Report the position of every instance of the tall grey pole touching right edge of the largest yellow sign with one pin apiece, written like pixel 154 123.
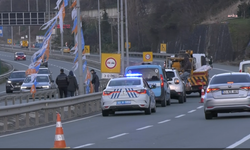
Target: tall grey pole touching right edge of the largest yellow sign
pixel 122 40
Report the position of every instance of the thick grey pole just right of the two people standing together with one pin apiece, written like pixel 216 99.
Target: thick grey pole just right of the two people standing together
pixel 79 45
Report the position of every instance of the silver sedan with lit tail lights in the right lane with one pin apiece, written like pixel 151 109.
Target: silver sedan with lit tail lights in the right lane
pixel 228 92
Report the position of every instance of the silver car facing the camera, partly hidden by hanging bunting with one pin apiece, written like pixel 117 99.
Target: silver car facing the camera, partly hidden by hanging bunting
pixel 43 82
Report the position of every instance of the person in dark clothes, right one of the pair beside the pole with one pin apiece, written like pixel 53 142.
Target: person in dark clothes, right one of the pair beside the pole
pixel 73 86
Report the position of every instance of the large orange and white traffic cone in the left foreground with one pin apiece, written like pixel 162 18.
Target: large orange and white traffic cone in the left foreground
pixel 59 137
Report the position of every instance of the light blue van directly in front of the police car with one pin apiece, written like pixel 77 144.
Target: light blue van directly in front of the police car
pixel 154 75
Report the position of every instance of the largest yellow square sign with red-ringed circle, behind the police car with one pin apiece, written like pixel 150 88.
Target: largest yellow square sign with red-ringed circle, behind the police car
pixel 110 63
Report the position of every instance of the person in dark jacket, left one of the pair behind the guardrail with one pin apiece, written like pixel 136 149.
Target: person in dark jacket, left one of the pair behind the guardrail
pixel 62 82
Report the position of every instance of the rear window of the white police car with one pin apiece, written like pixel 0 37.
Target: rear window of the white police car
pixel 126 82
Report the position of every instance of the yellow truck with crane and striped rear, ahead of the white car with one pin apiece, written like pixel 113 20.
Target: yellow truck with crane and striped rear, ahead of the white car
pixel 199 73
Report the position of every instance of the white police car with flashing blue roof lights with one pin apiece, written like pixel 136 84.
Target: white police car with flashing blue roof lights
pixel 131 92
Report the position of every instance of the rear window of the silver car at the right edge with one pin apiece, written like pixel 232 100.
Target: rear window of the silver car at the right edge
pixel 230 78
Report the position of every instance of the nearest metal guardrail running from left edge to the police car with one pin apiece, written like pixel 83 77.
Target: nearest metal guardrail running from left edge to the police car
pixel 44 112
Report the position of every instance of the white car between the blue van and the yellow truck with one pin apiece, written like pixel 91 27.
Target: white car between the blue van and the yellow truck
pixel 176 84
